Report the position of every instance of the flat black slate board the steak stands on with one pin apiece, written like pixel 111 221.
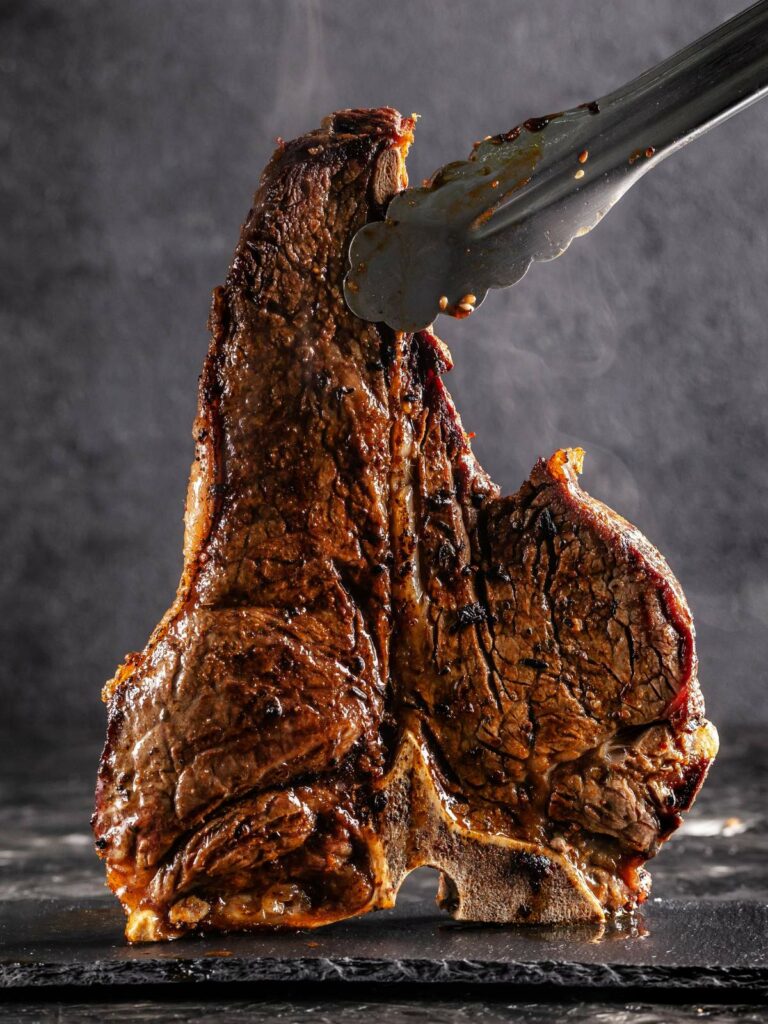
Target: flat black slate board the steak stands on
pixel 680 945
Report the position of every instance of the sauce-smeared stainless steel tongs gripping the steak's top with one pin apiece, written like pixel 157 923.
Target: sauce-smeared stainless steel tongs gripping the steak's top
pixel 526 195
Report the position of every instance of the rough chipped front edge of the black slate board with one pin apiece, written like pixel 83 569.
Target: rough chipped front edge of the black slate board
pixel 228 970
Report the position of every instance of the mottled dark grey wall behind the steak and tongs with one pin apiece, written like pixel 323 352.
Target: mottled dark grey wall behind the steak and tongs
pixel 132 138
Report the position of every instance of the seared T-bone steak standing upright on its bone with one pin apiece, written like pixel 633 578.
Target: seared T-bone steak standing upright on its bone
pixel 374 661
